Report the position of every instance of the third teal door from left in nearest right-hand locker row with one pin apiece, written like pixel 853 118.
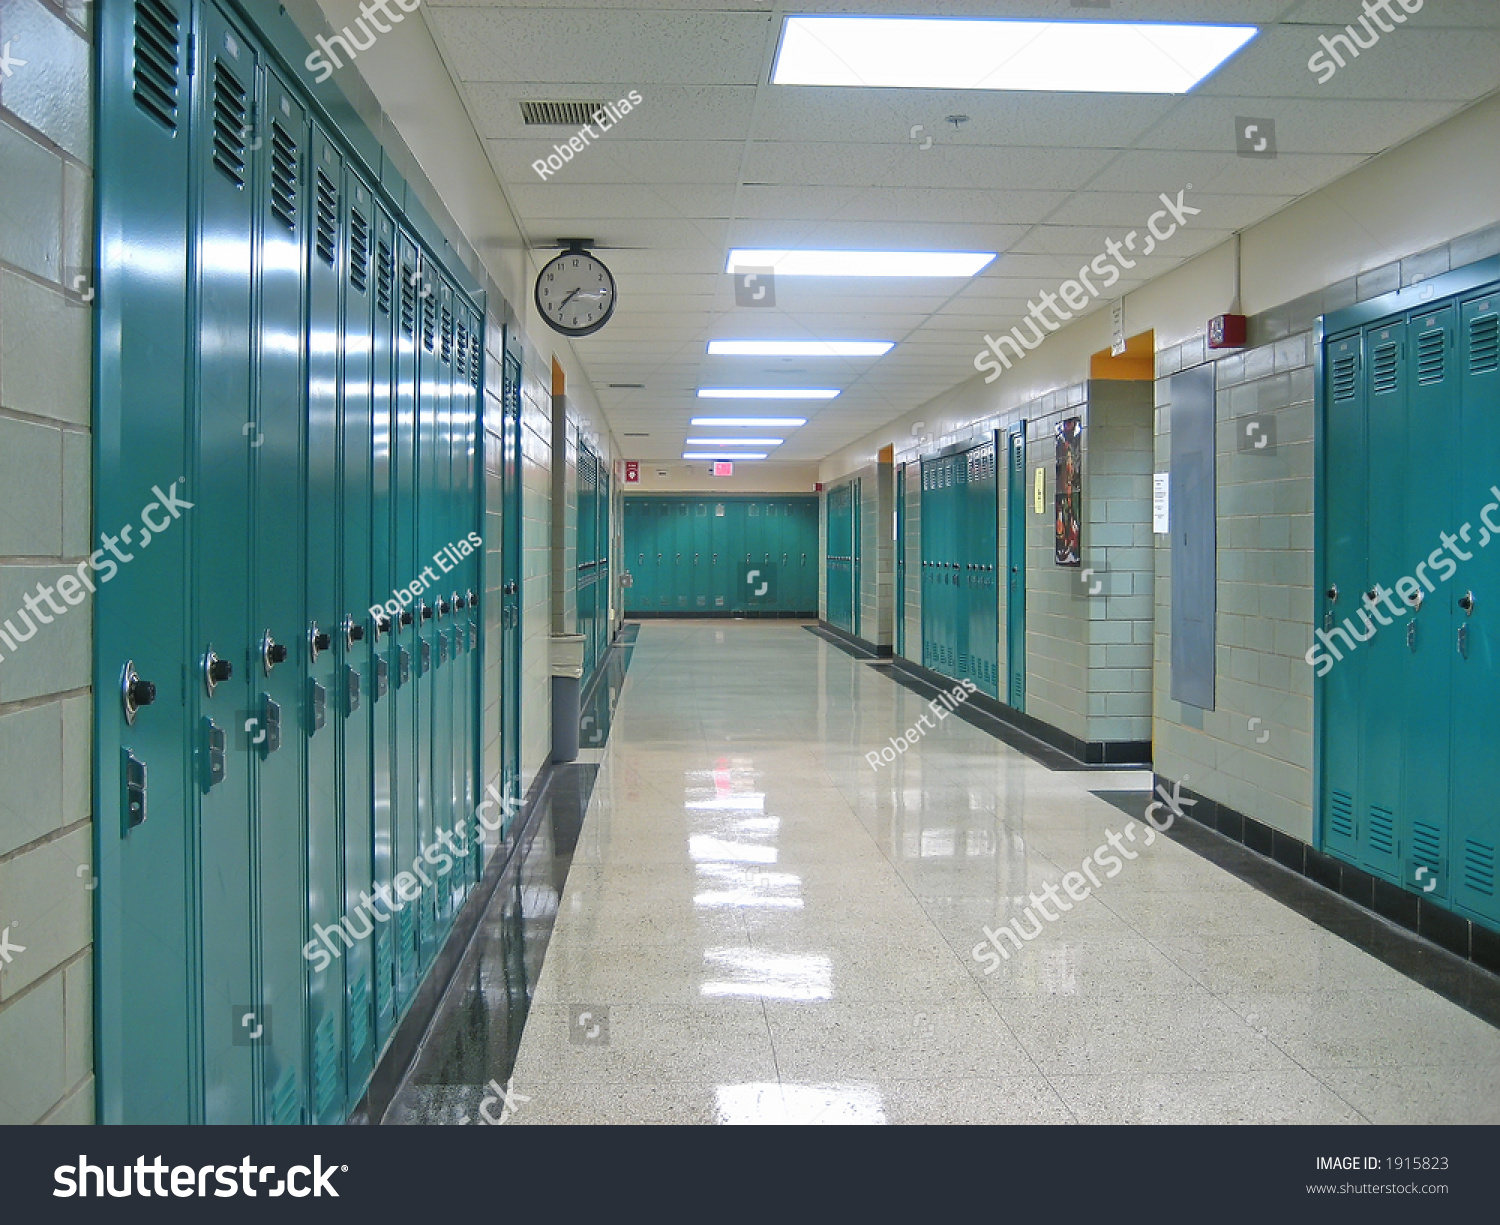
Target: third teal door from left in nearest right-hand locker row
pixel 1429 648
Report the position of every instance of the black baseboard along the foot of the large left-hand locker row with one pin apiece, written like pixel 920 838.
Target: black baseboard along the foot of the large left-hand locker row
pixel 401 1052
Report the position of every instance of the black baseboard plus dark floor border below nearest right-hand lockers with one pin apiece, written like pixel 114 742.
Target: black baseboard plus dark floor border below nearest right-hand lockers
pixel 1438 948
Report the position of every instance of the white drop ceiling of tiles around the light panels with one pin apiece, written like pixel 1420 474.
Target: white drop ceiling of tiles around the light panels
pixel 716 158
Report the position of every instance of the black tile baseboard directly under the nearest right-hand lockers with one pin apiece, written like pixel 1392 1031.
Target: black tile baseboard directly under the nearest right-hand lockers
pixel 1451 932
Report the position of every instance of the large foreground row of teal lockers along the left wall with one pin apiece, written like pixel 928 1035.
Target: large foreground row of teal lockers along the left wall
pixel 289 674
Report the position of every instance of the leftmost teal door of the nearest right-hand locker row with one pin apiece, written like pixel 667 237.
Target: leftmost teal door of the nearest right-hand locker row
pixel 1346 484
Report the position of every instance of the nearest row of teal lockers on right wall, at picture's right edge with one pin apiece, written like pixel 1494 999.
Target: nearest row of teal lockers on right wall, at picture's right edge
pixel 1409 639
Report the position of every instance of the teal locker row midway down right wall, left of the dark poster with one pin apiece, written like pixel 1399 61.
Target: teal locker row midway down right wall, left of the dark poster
pixel 964 569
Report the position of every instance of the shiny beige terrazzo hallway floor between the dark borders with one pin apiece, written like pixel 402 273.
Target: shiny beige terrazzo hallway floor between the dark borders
pixel 758 927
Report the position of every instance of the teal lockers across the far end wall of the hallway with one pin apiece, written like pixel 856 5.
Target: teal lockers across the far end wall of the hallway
pixel 692 556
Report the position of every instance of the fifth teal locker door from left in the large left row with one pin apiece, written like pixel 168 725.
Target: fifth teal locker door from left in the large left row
pixel 353 642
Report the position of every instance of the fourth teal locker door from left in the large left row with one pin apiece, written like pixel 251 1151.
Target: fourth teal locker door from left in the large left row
pixel 326 992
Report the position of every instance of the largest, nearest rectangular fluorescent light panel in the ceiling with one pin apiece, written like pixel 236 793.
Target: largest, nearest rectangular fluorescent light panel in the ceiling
pixel 923 53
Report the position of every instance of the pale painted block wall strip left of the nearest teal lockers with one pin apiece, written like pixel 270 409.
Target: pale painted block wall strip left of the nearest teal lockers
pixel 46 523
